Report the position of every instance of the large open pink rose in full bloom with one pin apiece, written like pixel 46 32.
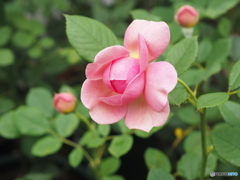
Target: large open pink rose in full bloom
pixel 124 83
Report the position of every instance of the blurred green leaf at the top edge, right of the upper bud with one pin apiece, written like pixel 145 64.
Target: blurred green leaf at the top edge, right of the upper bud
pixel 218 7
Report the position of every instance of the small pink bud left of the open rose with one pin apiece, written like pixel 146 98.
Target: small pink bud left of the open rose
pixel 64 102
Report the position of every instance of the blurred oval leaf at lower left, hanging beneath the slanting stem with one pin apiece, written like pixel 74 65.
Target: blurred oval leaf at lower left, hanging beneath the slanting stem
pixel 46 146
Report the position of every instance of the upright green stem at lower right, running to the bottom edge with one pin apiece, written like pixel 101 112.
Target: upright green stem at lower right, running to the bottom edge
pixel 204 150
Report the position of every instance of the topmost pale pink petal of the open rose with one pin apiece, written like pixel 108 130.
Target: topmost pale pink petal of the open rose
pixel 156 35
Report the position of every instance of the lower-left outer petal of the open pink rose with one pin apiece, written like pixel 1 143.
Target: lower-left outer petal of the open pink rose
pixel 103 113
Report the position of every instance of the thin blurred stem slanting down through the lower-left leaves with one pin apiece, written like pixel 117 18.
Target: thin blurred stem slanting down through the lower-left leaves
pixel 75 145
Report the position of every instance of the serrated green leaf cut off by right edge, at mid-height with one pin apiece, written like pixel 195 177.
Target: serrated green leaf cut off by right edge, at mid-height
pixel 234 78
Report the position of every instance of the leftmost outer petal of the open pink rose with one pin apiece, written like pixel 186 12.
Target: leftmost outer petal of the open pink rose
pixel 92 90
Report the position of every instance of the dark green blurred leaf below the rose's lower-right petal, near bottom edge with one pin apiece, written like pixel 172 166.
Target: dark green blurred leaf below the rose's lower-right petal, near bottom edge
pixel 156 159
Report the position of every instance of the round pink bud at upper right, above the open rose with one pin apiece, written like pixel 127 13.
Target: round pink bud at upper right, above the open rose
pixel 187 16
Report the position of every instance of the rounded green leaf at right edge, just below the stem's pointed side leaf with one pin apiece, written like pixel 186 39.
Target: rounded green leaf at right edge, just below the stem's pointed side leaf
pixel 230 113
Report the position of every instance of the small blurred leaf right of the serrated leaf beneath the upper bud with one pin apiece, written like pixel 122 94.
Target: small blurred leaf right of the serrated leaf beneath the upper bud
pixel 205 47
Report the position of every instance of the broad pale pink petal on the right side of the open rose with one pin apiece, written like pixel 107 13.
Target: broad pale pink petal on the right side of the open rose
pixel 161 78
